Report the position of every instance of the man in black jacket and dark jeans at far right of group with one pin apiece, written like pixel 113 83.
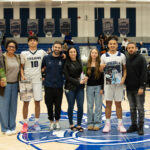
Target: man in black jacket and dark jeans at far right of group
pixel 135 85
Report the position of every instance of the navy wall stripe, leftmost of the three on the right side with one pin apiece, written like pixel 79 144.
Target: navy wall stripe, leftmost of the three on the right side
pixel 98 23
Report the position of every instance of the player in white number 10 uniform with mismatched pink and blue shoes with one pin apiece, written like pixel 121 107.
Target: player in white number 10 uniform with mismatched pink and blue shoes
pixel 31 70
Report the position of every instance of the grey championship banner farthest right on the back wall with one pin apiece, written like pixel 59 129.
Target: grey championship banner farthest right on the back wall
pixel 123 26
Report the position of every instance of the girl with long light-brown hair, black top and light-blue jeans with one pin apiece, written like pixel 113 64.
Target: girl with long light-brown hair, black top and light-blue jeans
pixel 94 91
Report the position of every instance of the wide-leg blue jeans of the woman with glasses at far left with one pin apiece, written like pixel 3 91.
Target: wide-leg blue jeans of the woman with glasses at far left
pixel 8 105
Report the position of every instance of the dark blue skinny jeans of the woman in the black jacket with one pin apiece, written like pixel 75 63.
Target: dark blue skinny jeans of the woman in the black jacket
pixel 77 95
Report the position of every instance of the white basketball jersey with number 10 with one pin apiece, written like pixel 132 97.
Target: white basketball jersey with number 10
pixel 32 64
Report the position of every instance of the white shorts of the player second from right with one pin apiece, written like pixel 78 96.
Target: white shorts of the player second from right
pixel 114 92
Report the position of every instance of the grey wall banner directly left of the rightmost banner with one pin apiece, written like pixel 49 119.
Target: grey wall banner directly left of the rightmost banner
pixel 108 26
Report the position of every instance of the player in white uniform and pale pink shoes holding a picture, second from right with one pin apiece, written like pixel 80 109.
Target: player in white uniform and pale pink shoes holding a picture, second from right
pixel 113 63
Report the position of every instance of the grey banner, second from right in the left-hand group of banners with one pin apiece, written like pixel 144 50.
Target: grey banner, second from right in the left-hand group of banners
pixel 49 26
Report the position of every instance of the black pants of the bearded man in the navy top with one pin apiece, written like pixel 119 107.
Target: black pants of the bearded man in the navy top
pixel 53 97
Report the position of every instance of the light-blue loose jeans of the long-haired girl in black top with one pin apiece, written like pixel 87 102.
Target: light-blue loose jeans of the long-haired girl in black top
pixel 94 97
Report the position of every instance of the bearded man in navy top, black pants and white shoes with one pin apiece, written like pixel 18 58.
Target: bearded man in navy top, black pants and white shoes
pixel 53 66
